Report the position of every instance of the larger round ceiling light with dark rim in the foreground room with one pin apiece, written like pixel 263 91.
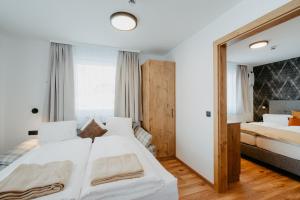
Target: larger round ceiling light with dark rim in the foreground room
pixel 123 21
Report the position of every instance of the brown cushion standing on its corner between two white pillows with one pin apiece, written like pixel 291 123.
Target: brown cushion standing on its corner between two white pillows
pixel 92 130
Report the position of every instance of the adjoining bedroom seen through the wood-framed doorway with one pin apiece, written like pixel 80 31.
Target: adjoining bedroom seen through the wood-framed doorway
pixel 263 99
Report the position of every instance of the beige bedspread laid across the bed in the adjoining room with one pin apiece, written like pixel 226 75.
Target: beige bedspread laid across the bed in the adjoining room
pixel 273 133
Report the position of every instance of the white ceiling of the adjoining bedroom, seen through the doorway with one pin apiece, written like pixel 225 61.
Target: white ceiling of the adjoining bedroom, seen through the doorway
pixel 286 38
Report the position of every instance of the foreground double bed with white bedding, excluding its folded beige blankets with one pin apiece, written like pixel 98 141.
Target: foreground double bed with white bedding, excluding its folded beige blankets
pixel 156 183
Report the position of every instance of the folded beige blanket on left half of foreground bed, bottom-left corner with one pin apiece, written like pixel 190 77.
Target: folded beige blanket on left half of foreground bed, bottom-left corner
pixel 29 181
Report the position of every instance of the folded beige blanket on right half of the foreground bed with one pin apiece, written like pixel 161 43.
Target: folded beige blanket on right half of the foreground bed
pixel 116 168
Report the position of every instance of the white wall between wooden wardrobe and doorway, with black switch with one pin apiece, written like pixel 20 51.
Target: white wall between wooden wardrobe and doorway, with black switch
pixel 194 83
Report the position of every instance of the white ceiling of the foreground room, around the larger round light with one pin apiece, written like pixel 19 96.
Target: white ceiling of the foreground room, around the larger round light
pixel 162 23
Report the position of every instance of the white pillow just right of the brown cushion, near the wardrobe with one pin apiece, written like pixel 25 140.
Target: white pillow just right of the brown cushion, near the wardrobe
pixel 120 126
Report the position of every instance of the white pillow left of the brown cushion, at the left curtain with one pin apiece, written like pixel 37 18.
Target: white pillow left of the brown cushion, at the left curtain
pixel 57 131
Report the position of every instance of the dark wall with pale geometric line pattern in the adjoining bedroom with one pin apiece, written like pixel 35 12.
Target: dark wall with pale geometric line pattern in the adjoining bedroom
pixel 275 81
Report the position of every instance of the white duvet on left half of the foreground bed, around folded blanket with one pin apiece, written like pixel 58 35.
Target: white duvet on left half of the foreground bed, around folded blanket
pixel 75 150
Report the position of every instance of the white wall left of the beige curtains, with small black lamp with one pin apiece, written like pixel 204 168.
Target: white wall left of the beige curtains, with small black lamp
pixel 25 87
